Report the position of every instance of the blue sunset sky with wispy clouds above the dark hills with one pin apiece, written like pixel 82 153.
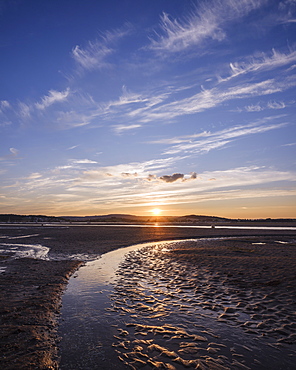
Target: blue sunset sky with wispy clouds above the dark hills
pixel 126 106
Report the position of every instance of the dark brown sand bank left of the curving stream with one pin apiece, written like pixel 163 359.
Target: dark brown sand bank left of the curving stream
pixel 29 305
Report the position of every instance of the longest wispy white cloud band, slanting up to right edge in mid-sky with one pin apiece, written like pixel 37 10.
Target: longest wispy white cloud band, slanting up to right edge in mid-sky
pixel 133 109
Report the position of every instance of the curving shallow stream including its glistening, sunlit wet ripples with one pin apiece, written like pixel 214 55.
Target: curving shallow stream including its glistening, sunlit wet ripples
pixel 135 308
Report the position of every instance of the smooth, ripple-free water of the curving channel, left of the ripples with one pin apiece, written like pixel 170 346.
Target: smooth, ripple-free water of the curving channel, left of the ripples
pixel 86 327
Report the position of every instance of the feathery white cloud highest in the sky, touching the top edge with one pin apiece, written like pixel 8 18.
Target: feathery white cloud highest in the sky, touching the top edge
pixel 206 21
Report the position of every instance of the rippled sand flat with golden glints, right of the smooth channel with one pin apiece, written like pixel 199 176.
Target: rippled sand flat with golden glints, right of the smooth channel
pixel 224 304
